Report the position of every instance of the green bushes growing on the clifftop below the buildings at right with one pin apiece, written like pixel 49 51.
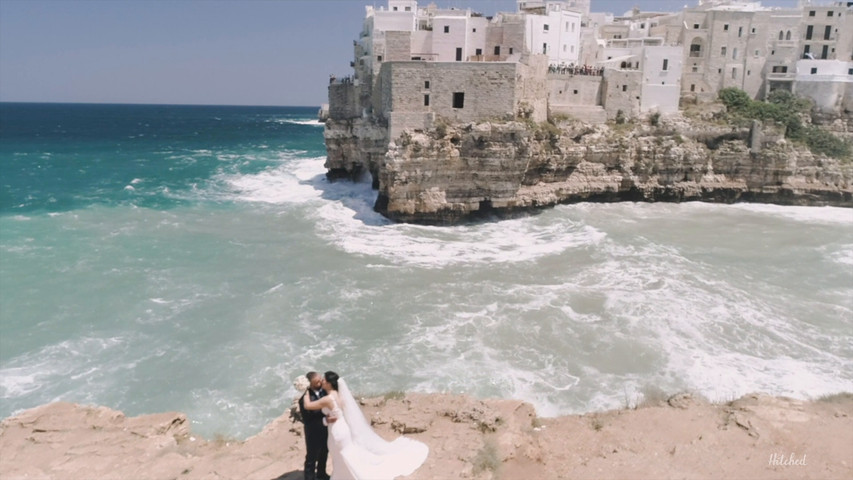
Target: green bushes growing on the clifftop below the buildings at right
pixel 784 108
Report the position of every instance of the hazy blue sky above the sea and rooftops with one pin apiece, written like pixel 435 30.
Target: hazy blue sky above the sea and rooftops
pixel 215 52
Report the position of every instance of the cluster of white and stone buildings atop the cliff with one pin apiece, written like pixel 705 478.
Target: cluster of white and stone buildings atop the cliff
pixel 415 65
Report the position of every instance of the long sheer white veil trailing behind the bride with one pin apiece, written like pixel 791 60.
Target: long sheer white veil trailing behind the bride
pixel 403 455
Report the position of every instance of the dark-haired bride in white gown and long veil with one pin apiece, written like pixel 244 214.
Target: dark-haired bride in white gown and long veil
pixel 357 452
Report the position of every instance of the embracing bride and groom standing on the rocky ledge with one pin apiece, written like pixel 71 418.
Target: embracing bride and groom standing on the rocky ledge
pixel 335 425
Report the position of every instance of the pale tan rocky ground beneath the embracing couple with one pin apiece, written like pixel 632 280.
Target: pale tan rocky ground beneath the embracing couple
pixel 754 437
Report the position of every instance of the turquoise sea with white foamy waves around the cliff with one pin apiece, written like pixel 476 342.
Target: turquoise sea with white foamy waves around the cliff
pixel 161 258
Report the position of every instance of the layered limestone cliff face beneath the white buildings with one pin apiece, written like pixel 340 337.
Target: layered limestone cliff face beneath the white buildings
pixel 457 173
